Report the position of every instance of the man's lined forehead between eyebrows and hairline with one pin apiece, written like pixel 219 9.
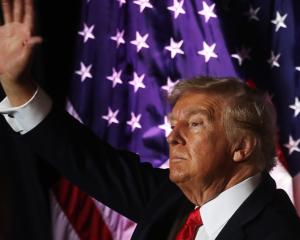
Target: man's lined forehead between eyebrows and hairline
pixel 196 102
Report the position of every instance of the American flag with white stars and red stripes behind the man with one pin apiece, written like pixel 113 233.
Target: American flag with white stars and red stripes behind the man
pixel 130 53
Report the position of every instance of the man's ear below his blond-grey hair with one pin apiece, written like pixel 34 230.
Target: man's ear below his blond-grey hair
pixel 243 147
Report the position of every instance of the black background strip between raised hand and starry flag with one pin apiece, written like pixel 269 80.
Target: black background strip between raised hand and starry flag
pixel 58 24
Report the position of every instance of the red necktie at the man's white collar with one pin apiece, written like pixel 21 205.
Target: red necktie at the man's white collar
pixel 190 227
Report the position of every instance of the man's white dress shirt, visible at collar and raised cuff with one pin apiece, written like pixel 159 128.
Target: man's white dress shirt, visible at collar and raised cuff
pixel 215 213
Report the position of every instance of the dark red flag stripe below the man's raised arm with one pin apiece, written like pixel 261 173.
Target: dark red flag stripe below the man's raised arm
pixel 81 211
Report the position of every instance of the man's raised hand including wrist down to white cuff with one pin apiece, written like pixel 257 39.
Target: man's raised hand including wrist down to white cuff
pixel 16 47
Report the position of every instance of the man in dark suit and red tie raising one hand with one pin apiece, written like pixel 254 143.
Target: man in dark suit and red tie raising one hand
pixel 221 146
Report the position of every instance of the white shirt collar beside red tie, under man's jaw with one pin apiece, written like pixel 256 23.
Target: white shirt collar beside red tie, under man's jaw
pixel 216 213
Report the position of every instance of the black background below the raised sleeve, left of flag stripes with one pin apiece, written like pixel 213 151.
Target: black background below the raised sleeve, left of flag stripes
pixel 24 187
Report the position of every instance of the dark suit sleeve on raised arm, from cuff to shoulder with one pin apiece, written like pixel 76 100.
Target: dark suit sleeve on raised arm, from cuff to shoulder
pixel 114 177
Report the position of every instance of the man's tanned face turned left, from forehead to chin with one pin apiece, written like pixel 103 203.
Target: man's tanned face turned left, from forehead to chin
pixel 199 150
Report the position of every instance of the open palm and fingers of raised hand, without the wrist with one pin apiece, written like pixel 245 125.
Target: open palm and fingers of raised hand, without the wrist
pixel 16 40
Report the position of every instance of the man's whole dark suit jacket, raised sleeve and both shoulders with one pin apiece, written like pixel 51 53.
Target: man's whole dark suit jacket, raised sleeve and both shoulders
pixel 144 194
